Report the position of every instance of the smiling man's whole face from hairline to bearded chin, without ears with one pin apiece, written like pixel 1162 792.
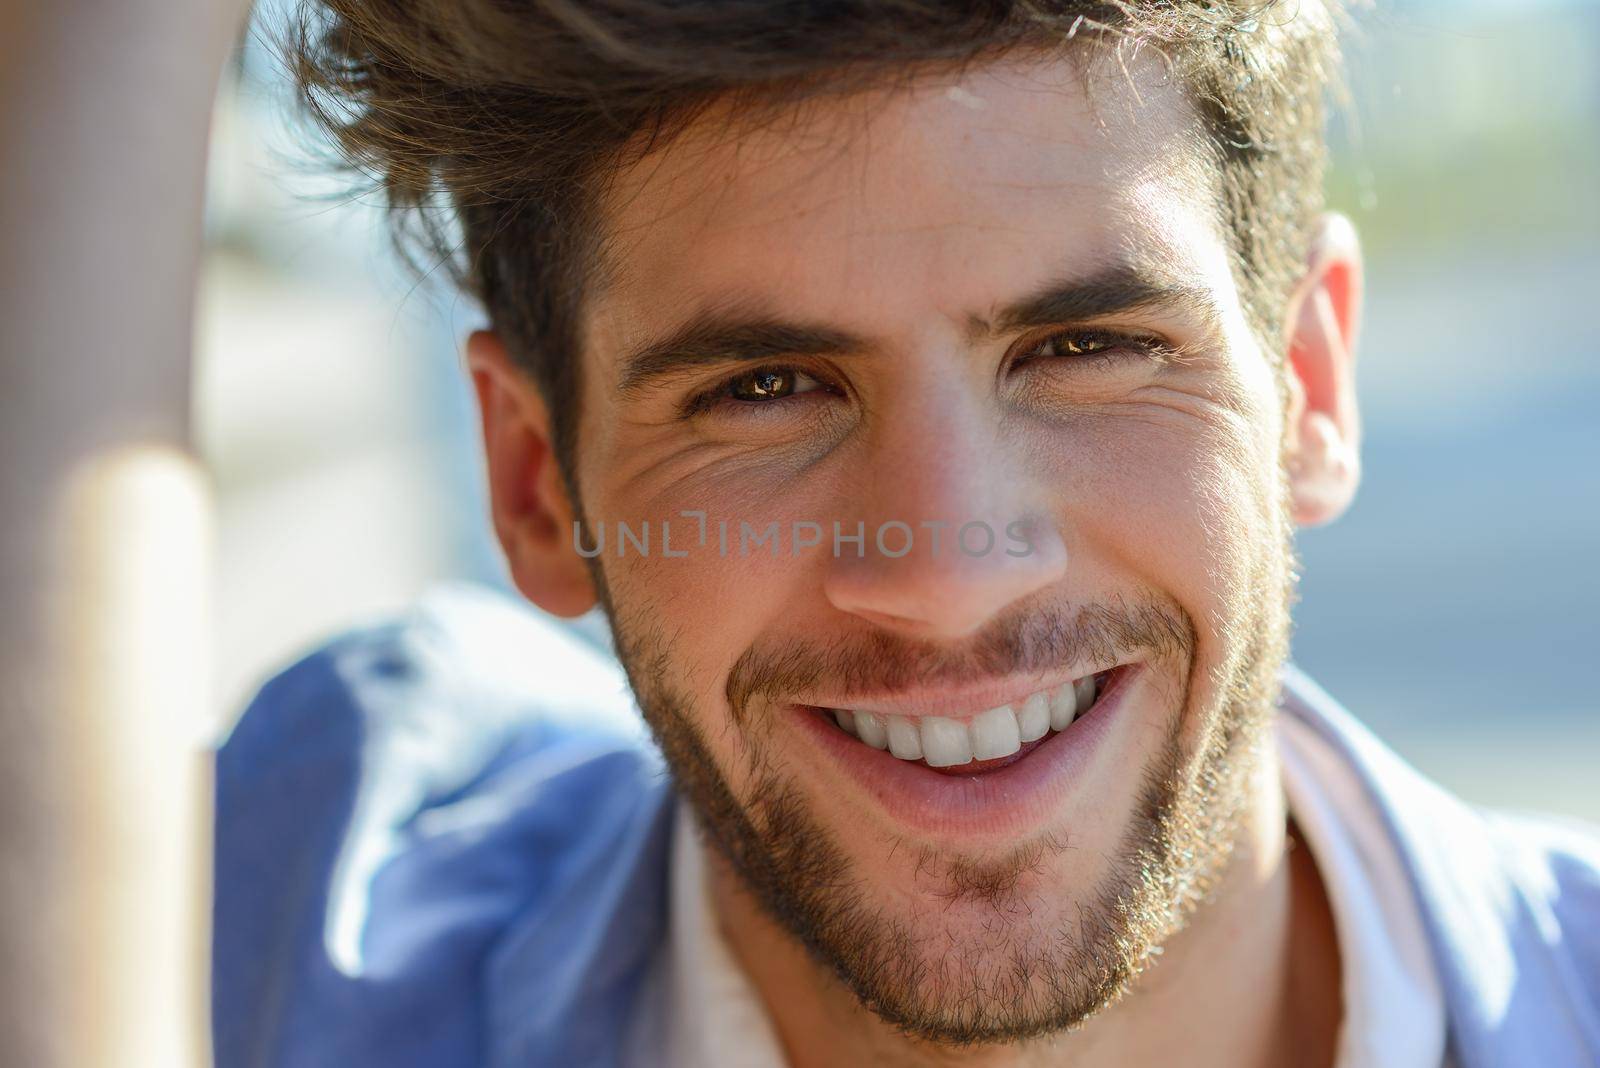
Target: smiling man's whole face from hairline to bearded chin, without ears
pixel 985 301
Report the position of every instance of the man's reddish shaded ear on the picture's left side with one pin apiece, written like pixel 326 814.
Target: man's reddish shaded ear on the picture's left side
pixel 534 517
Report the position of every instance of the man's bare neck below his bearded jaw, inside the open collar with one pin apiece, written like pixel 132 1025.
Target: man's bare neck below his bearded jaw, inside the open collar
pixel 1254 979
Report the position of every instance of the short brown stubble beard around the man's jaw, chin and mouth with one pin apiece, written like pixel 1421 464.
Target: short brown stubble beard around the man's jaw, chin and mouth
pixel 1023 979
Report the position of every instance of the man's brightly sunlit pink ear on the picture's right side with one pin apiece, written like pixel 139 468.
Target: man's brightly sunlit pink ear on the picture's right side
pixel 1324 424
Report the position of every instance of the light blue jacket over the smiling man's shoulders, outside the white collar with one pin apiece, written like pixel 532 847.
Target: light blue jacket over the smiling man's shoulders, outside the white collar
pixel 444 843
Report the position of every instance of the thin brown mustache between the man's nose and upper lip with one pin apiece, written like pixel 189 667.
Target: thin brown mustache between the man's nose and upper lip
pixel 1022 642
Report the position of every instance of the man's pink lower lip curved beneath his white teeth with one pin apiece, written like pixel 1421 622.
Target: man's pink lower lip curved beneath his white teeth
pixel 1002 802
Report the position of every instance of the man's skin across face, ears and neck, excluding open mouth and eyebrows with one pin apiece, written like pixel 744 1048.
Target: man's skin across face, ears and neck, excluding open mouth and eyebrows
pixel 1159 487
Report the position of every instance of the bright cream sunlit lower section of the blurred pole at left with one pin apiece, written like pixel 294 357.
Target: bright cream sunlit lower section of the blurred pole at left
pixel 134 634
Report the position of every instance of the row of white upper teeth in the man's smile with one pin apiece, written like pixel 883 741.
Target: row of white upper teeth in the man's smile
pixel 945 743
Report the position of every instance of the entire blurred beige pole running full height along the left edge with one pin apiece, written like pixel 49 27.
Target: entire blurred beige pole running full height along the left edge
pixel 105 113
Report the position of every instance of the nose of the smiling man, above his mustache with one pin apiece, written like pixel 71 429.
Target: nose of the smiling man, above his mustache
pixel 954 530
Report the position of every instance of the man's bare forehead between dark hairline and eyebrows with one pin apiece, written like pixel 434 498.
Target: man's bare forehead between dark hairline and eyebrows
pixel 910 210
